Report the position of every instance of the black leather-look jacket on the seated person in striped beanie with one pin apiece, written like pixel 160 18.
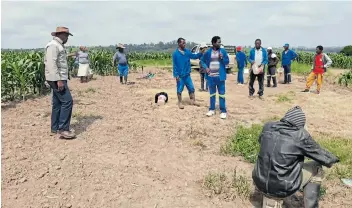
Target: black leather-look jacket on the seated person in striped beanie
pixel 283 146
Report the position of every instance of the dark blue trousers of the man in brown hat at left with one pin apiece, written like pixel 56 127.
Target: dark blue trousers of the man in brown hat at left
pixel 61 107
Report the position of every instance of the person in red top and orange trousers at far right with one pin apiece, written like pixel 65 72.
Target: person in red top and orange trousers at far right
pixel 321 62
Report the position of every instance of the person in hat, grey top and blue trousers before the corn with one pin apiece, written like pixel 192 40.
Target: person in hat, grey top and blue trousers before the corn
pixel 122 63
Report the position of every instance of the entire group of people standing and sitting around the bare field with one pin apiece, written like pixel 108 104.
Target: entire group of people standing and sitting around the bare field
pixel 280 169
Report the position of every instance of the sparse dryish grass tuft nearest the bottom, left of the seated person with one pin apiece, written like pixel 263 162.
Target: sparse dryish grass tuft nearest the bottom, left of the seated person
pixel 232 186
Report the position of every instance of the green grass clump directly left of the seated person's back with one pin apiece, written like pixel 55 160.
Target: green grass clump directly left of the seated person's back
pixel 244 143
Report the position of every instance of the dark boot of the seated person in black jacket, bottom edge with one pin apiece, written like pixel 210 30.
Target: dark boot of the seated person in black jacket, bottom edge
pixel 311 195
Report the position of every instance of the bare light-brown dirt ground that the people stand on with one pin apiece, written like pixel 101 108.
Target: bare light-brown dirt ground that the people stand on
pixel 129 153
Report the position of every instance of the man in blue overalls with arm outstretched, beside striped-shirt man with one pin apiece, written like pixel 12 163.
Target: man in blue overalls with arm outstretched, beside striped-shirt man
pixel 182 70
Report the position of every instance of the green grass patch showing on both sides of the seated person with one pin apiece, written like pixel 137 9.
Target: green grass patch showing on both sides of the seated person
pixel 244 142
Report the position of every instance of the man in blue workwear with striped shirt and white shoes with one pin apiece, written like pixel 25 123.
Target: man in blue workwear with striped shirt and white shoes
pixel 215 61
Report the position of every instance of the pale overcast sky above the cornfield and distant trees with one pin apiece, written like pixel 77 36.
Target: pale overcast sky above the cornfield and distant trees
pixel 28 24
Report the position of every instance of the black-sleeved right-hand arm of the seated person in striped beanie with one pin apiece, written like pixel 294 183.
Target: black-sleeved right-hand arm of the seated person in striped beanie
pixel 312 150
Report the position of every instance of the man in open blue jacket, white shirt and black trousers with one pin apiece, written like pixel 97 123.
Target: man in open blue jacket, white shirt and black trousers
pixel 258 57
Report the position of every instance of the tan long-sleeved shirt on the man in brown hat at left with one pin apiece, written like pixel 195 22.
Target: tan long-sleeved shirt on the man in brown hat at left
pixel 55 60
